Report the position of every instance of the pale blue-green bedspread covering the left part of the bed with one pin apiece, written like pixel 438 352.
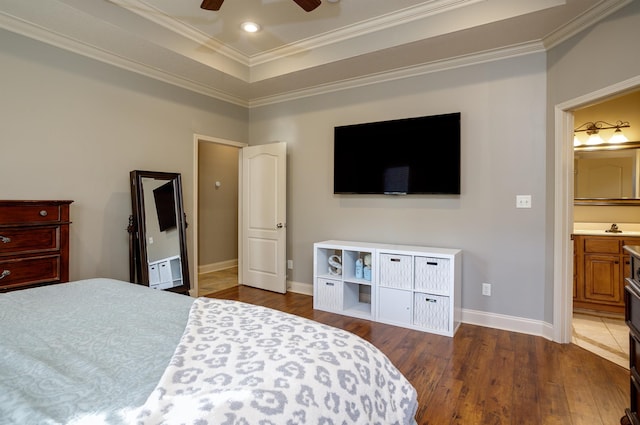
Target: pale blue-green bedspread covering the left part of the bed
pixel 86 351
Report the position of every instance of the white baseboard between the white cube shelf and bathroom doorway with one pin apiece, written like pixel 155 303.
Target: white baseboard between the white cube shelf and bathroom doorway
pixel 508 323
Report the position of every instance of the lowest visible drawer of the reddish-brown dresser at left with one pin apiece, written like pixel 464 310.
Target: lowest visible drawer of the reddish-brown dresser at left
pixel 29 271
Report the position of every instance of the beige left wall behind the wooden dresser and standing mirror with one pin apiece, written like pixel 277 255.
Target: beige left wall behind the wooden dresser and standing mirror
pixel 73 128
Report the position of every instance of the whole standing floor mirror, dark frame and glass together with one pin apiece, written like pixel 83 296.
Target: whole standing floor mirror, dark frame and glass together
pixel 159 249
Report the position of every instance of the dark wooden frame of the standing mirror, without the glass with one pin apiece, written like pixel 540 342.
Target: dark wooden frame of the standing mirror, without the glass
pixel 139 264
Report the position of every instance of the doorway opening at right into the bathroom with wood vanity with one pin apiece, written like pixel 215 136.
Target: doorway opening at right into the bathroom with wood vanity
pixel 598 319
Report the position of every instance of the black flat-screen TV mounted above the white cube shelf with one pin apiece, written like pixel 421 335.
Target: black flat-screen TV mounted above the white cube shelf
pixel 398 157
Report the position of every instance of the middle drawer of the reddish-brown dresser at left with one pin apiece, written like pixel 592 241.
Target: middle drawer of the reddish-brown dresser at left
pixel 24 240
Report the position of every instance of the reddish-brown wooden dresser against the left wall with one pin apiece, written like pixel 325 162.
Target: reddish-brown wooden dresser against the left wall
pixel 34 243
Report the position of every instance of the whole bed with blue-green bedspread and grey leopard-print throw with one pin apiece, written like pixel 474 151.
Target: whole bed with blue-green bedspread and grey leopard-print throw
pixel 101 351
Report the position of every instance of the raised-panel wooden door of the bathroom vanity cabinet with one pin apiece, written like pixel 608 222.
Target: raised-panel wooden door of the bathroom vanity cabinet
pixel 602 278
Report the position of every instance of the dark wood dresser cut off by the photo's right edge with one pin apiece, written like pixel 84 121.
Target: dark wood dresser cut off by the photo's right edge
pixel 632 317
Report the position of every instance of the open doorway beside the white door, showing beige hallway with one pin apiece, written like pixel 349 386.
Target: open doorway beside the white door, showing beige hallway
pixel 215 232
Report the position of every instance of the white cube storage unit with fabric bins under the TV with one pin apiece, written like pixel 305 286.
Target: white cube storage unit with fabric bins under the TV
pixel 410 286
